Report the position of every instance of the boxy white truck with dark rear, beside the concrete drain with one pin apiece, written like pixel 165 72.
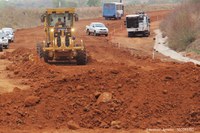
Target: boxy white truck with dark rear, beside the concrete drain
pixel 138 23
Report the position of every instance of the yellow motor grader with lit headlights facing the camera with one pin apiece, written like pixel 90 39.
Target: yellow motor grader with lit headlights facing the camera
pixel 60 43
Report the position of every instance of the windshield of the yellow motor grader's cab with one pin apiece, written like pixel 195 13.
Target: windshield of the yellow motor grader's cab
pixel 66 18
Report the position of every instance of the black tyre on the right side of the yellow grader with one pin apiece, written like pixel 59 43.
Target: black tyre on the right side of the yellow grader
pixel 81 57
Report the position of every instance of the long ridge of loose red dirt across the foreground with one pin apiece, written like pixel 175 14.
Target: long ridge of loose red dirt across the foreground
pixel 160 98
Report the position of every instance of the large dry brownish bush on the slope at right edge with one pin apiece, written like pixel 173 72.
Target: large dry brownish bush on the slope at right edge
pixel 182 25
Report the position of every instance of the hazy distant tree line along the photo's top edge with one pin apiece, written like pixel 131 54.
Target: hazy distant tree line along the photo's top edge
pixel 73 3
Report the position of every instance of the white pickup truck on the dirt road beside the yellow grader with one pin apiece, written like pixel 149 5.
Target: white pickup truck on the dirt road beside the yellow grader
pixel 96 29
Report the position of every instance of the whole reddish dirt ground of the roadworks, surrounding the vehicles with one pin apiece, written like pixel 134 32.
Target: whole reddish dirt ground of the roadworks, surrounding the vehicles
pixel 142 92
